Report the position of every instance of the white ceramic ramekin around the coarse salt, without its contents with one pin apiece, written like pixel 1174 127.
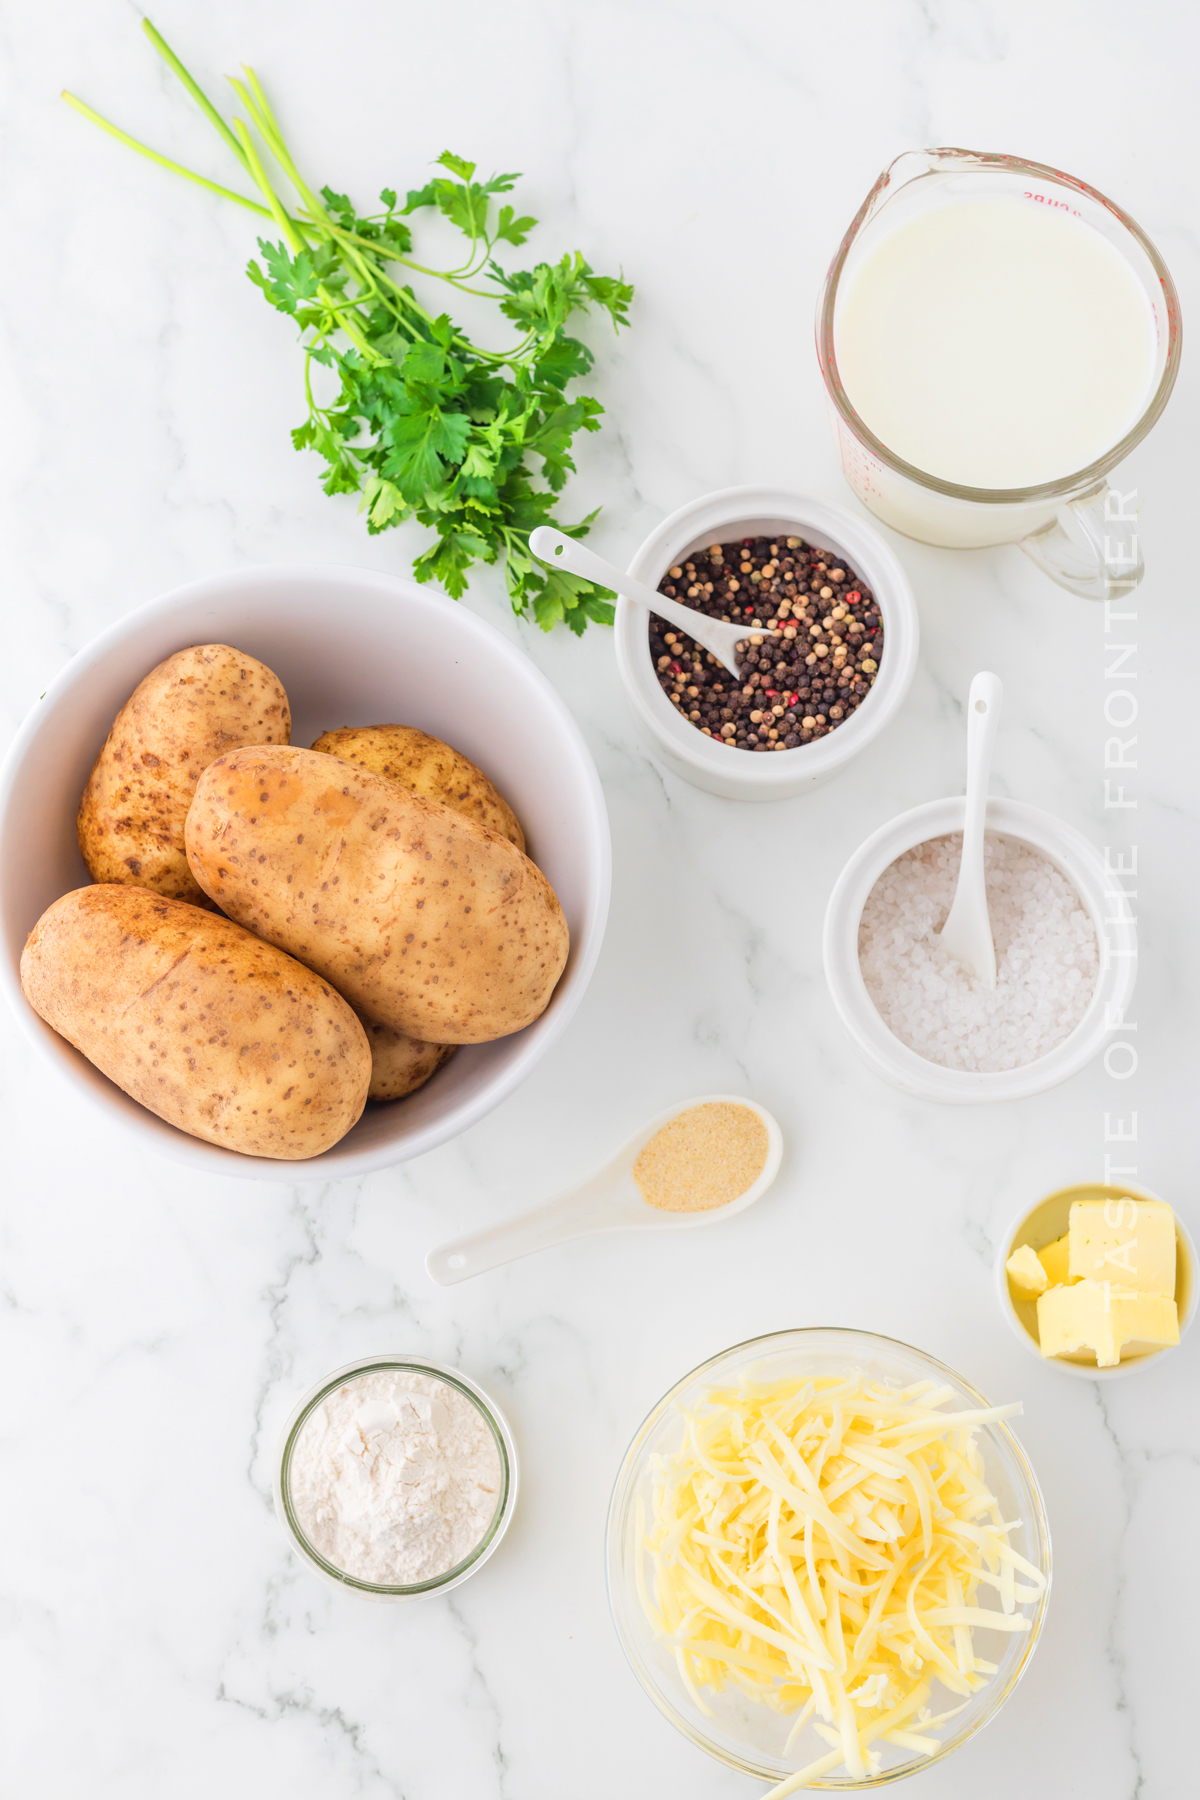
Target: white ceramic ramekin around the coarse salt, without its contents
pixel 1084 868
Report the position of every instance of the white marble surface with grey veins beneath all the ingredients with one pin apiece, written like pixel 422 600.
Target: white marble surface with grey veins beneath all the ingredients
pixel 156 1329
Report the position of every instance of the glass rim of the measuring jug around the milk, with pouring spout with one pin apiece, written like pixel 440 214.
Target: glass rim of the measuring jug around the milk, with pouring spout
pixel 1062 487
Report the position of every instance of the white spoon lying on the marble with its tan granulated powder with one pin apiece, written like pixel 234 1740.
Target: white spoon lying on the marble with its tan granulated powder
pixel 701 1162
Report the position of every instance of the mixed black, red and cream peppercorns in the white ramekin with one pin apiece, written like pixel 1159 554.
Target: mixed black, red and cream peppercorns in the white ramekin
pixel 791 690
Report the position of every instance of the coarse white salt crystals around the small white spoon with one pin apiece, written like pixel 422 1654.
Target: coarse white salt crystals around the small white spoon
pixel 1048 960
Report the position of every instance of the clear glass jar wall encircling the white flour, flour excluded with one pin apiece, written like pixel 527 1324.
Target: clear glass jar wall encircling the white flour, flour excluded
pixel 381 1365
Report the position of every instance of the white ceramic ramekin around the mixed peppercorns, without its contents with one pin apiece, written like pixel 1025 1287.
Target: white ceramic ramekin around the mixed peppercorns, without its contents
pixel 749 514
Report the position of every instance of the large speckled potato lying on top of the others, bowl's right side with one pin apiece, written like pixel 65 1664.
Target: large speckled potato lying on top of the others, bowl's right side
pixel 422 919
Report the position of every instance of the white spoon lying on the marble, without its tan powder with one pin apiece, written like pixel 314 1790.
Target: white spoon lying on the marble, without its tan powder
pixel 607 1201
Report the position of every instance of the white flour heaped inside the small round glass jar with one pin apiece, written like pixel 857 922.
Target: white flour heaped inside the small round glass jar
pixel 395 1479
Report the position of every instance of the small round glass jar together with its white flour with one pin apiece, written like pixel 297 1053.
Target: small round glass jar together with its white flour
pixel 397 1477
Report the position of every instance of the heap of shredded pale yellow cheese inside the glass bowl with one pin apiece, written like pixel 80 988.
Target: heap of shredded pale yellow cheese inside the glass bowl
pixel 821 1545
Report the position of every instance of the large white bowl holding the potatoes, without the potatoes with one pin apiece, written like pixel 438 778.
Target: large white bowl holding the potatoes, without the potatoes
pixel 354 649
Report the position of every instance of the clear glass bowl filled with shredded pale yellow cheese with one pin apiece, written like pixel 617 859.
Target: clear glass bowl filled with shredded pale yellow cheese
pixel 828 1560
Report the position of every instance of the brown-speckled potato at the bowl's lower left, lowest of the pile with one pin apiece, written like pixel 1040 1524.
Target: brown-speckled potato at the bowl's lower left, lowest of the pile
pixel 222 1036
